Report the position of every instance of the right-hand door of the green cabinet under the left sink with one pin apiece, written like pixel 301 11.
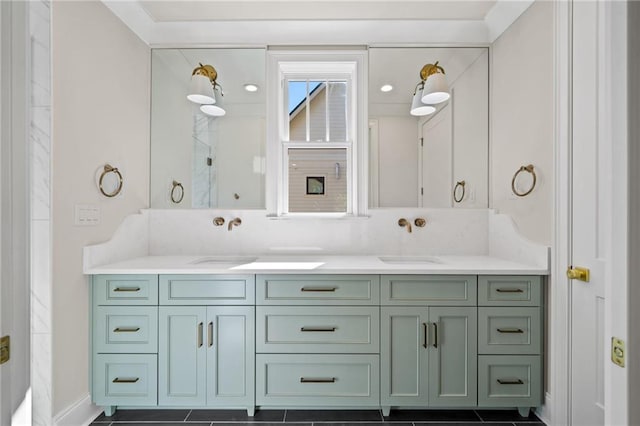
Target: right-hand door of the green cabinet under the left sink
pixel 230 342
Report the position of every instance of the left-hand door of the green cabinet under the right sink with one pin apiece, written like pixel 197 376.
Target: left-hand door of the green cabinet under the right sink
pixel 403 356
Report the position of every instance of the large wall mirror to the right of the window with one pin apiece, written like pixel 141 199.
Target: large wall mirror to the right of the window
pixel 436 160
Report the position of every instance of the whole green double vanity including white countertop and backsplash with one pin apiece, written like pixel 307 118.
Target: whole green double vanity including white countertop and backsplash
pixel 449 316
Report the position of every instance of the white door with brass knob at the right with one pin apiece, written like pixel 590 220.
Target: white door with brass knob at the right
pixel 589 218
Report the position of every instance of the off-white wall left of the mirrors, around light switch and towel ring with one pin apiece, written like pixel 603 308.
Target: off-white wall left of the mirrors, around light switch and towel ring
pixel 100 114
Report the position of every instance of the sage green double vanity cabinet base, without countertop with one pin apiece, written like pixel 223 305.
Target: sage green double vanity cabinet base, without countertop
pixel 316 340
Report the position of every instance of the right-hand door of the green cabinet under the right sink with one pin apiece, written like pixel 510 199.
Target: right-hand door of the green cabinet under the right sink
pixel 453 356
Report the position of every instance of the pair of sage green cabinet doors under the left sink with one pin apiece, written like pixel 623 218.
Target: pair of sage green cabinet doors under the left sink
pixel 206 356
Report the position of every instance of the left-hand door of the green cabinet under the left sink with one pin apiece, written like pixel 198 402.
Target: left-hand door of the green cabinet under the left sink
pixel 182 356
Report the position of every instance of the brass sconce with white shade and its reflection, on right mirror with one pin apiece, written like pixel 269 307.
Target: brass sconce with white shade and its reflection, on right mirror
pixel 431 90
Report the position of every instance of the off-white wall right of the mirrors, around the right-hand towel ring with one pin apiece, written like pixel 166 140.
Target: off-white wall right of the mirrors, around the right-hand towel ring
pixel 522 119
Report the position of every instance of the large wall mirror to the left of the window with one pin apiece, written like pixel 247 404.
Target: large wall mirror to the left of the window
pixel 200 160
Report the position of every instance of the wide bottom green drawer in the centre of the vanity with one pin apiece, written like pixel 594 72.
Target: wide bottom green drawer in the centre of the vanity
pixel 317 380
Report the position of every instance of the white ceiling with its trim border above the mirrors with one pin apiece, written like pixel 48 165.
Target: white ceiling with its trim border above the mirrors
pixel 188 23
